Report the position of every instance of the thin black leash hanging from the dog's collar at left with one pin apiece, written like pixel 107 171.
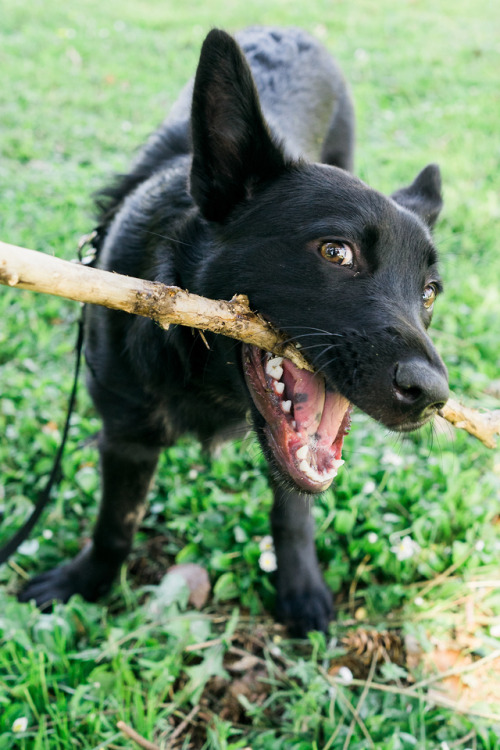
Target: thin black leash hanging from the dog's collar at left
pixel 55 475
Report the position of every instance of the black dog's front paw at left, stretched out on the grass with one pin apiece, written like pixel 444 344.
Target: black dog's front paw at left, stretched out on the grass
pixel 81 576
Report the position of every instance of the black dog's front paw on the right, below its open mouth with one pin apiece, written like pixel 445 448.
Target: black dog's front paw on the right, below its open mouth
pixel 303 610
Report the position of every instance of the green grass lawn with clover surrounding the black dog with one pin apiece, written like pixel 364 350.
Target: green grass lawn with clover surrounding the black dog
pixel 82 86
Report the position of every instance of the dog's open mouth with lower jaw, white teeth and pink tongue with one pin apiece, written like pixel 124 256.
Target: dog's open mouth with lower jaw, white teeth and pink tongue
pixel 305 421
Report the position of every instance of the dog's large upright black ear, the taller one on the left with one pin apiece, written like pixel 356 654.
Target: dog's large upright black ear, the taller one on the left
pixel 232 146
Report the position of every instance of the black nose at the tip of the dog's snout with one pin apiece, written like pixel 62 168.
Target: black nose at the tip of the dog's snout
pixel 420 384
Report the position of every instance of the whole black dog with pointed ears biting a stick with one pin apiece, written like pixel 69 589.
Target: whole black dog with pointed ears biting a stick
pixel 225 200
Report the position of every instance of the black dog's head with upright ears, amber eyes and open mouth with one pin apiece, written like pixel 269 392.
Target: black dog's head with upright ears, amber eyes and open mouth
pixel 346 272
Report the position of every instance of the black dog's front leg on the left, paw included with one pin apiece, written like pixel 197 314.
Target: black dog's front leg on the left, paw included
pixel 126 471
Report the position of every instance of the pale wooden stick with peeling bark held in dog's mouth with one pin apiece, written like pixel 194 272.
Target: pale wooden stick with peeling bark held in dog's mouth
pixel 166 305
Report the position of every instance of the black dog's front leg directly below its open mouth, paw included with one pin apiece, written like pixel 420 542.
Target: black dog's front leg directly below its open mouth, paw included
pixel 303 601
